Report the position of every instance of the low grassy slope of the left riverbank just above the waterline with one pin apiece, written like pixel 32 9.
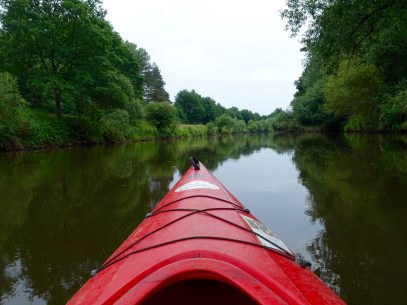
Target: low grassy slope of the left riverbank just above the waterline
pixel 47 132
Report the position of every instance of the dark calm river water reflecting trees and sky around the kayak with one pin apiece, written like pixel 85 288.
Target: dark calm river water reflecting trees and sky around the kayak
pixel 339 200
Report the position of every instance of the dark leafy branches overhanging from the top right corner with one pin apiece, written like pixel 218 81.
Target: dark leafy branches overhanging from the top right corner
pixel 342 28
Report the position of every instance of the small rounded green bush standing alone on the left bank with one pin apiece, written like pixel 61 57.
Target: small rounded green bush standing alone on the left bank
pixel 163 116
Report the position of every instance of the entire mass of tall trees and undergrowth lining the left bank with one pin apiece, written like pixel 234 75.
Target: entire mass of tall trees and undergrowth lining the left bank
pixel 67 77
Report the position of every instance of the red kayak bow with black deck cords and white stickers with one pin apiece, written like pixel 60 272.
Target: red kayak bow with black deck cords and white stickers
pixel 200 245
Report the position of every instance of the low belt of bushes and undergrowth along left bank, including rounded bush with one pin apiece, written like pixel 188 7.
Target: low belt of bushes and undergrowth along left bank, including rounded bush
pixel 22 127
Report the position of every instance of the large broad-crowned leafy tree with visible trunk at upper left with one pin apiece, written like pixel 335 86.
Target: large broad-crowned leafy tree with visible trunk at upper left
pixel 55 47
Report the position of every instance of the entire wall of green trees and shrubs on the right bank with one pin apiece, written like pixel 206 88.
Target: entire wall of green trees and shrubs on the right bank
pixel 355 75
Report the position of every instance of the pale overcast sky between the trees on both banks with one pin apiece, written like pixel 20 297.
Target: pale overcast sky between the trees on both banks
pixel 235 51
